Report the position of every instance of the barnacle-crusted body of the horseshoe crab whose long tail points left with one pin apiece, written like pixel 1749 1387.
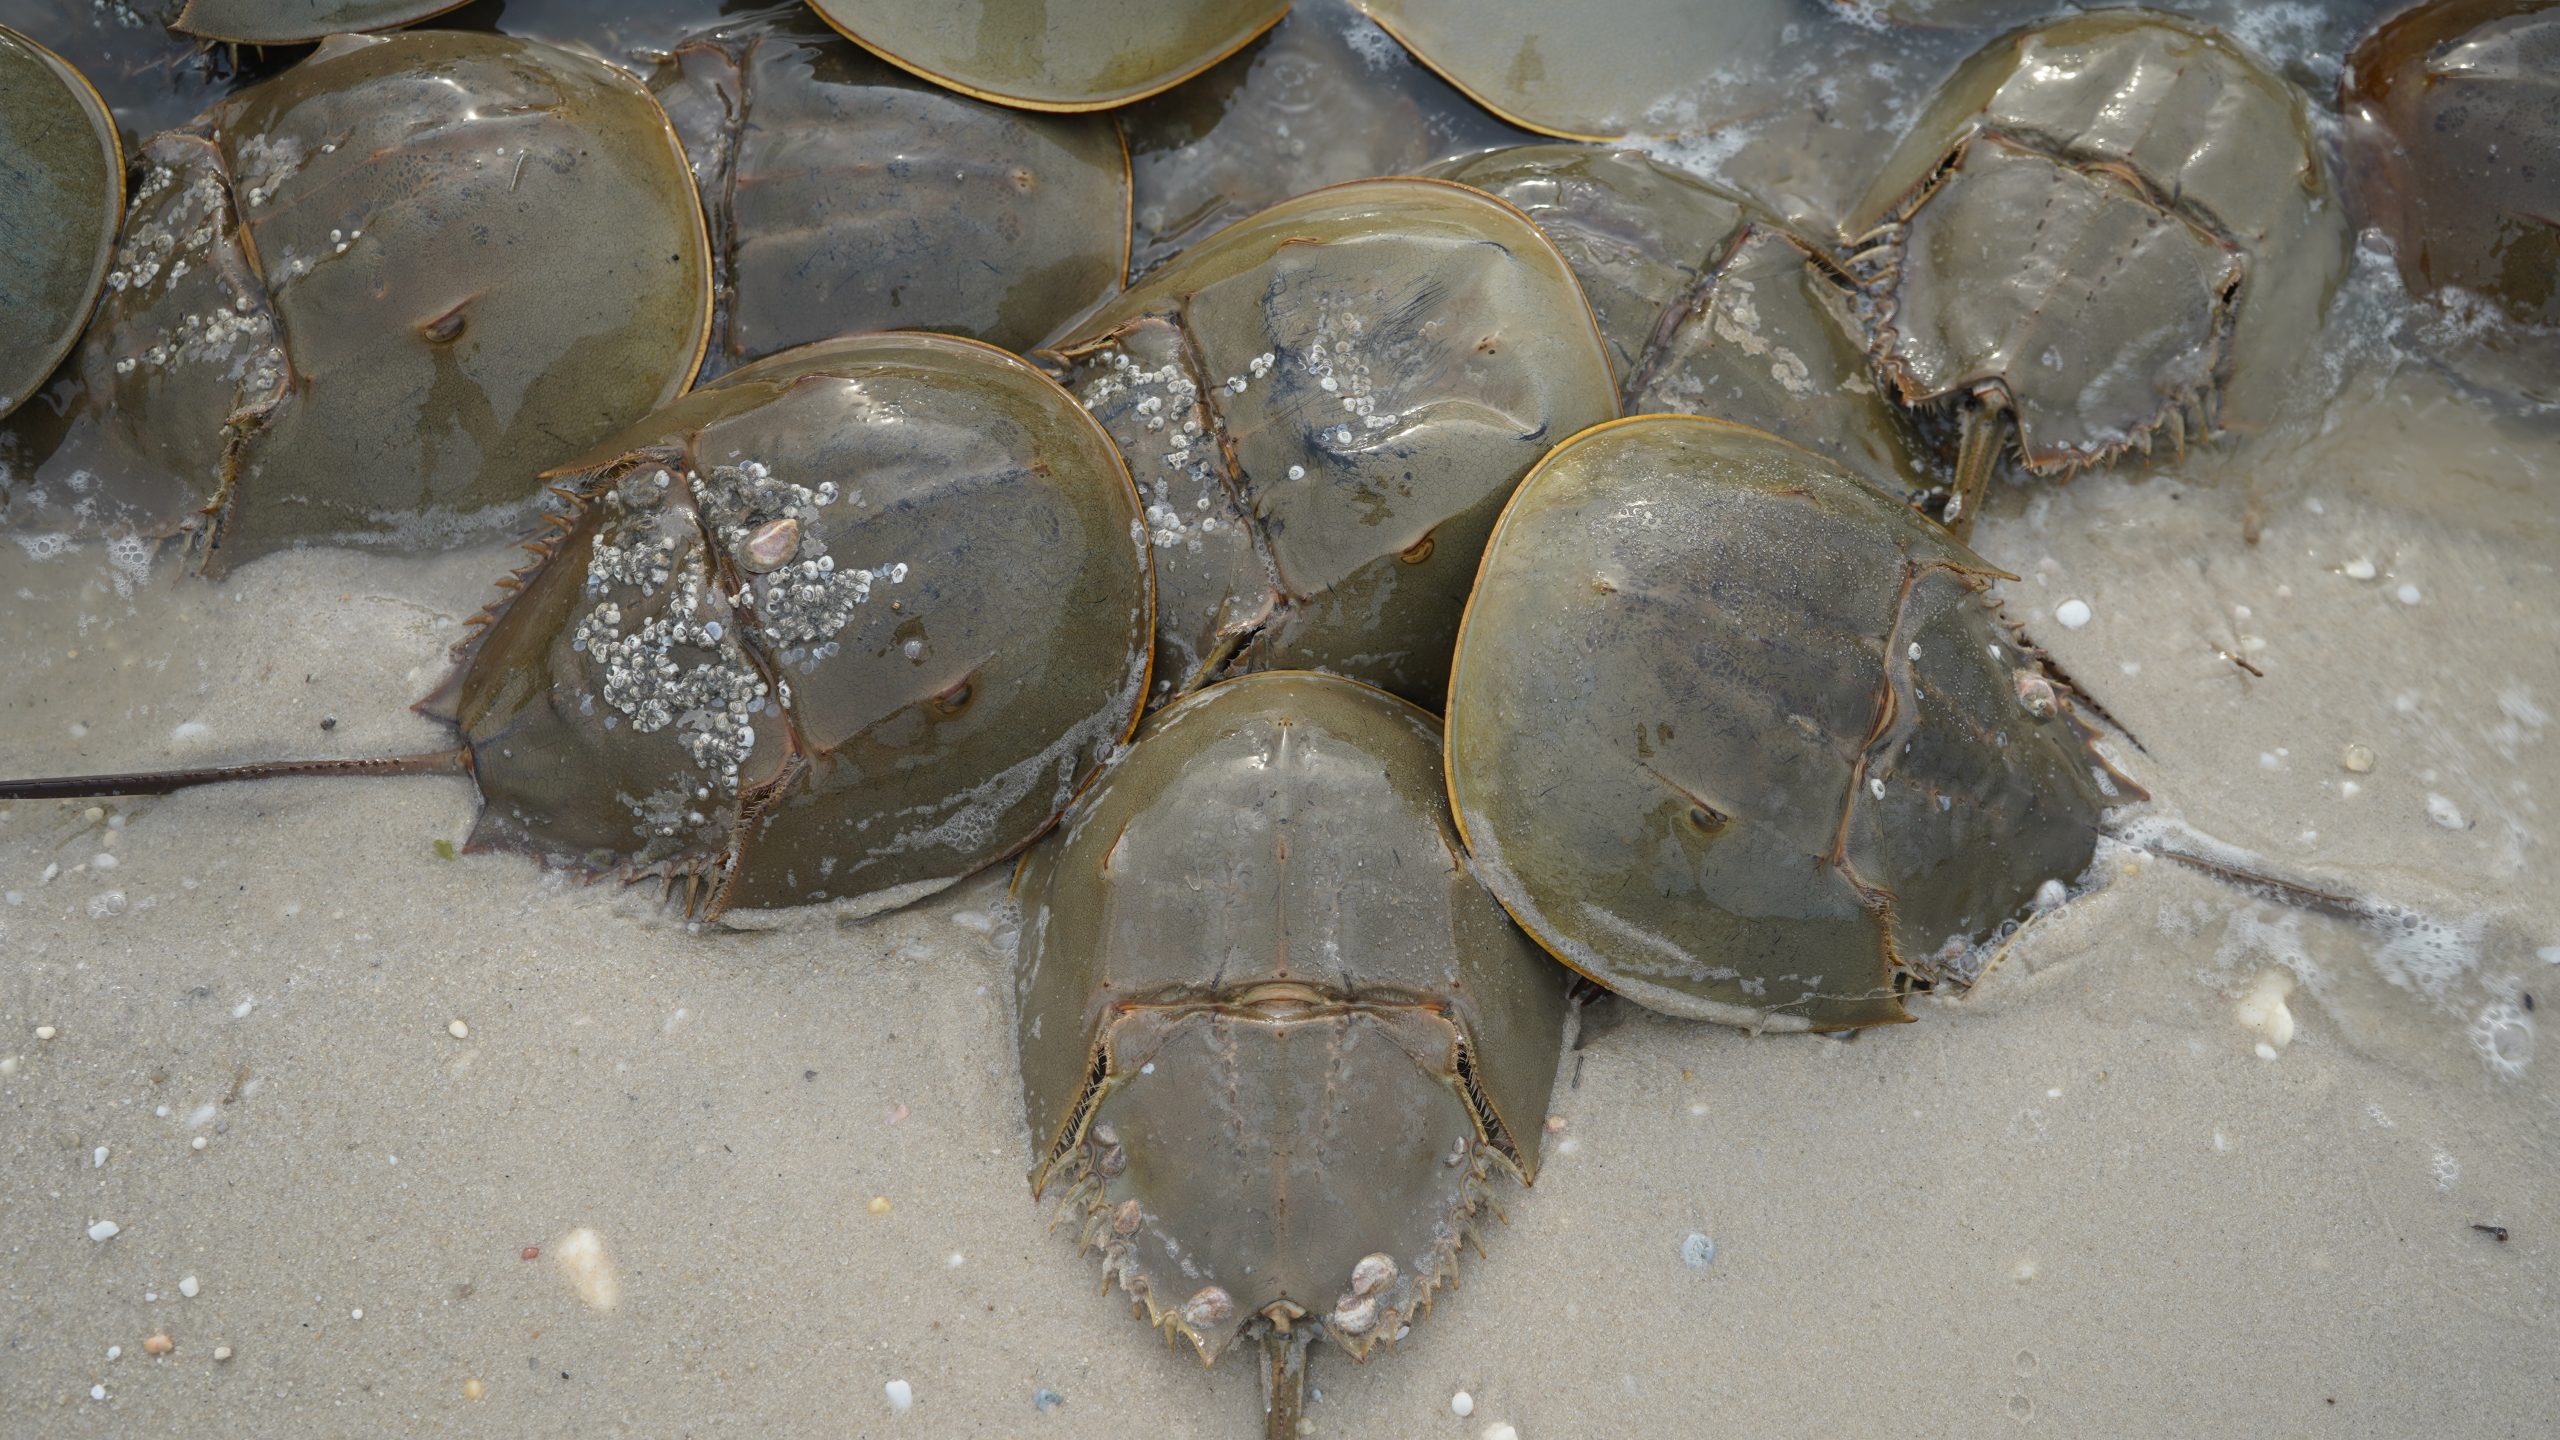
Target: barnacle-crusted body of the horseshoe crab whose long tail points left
pixel 846 624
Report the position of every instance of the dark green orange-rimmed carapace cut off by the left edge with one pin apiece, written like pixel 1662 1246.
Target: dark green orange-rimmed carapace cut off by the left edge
pixel 63 188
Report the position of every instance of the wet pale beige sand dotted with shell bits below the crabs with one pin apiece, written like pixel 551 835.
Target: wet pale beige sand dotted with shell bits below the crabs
pixel 2185 1162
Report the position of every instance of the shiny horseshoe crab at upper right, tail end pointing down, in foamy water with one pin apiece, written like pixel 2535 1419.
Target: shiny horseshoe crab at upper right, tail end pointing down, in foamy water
pixel 2124 222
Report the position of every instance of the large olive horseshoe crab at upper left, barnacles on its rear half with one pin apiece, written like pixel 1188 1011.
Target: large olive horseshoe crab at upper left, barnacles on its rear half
pixel 398 281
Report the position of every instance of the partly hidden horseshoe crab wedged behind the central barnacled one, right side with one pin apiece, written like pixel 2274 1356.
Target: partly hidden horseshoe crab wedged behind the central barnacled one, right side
pixel 1709 304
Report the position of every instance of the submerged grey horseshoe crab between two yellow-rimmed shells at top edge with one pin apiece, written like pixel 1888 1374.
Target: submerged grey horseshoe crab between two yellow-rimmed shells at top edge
pixel 1317 101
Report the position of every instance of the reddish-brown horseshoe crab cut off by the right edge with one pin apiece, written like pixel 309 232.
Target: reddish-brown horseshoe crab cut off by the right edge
pixel 2454 140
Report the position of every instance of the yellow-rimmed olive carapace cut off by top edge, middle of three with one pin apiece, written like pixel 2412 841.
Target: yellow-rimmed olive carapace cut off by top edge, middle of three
pixel 1043 55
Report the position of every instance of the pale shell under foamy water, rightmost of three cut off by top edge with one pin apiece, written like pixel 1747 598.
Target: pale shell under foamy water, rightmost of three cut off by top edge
pixel 1586 70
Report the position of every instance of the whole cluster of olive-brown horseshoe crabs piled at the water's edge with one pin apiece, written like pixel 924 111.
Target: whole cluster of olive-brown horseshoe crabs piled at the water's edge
pixel 1734 729
